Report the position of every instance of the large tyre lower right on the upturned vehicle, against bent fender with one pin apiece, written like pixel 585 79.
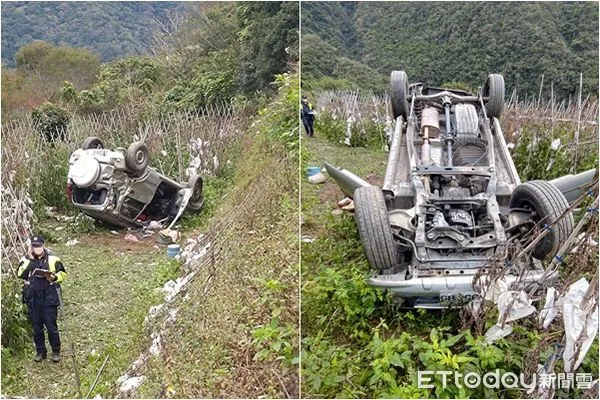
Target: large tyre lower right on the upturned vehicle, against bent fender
pixel 549 204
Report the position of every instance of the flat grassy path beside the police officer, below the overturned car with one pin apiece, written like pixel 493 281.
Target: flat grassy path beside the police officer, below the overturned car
pixel 110 286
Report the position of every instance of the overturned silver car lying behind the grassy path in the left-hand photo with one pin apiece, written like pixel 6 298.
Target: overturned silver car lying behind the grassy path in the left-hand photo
pixel 119 188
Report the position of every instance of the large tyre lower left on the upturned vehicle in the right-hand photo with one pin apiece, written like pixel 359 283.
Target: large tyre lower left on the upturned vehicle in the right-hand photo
pixel 374 228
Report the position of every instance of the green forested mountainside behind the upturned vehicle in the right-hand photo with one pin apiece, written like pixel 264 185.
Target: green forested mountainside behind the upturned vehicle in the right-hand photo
pixel 440 42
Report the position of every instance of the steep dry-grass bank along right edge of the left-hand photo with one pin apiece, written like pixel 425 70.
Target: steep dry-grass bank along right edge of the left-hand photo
pixel 212 349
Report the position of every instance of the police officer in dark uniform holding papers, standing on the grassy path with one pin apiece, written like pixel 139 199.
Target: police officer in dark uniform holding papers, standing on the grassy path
pixel 42 273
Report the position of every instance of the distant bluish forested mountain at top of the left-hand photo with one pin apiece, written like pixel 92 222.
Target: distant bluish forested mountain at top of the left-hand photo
pixel 110 29
